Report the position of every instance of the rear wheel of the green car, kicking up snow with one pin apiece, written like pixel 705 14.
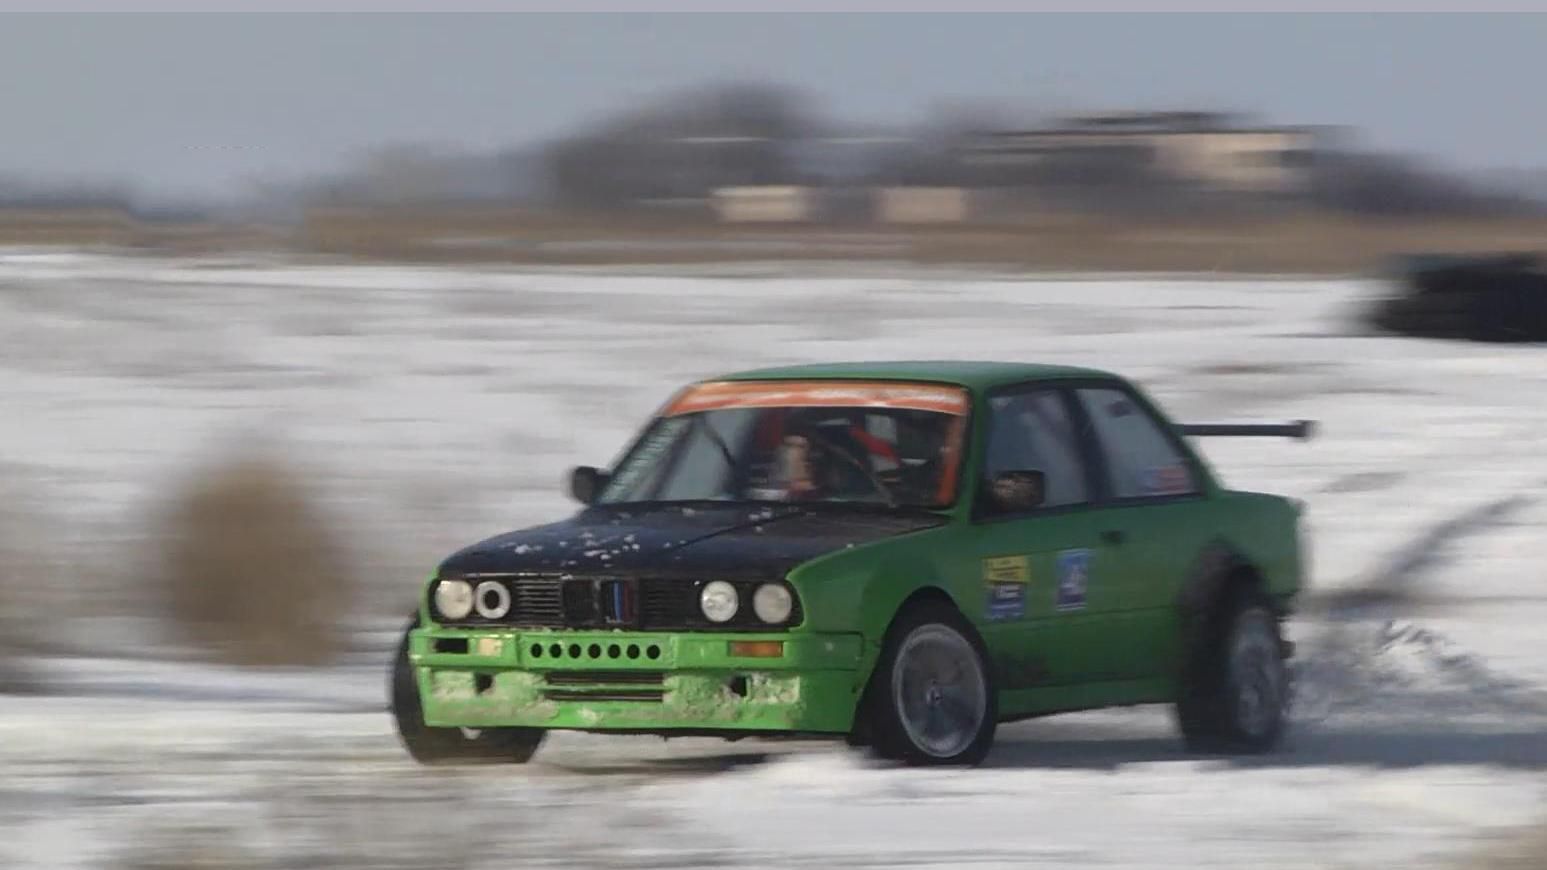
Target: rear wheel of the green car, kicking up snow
pixel 1237 687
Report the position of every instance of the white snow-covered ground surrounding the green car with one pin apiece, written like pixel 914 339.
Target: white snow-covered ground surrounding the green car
pixel 442 405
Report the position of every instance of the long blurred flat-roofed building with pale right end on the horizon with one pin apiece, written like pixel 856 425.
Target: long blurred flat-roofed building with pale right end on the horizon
pixel 1204 149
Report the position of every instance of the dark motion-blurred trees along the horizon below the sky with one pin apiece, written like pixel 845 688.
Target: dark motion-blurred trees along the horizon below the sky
pixel 675 151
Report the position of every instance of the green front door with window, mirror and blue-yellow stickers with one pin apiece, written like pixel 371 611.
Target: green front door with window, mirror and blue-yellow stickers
pixel 1043 567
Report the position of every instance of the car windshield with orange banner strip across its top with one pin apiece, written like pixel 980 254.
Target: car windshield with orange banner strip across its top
pixel 884 444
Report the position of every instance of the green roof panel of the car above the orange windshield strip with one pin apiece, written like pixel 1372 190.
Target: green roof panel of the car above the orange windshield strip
pixel 975 375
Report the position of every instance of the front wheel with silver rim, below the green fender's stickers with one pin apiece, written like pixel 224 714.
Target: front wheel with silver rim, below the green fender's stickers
pixel 921 642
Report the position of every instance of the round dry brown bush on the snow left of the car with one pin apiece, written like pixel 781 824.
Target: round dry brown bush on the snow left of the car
pixel 253 572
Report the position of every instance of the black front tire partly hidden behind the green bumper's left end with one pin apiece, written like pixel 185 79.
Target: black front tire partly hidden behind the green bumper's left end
pixel 451 745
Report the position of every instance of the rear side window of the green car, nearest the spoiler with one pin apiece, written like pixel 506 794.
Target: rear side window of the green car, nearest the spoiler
pixel 1141 459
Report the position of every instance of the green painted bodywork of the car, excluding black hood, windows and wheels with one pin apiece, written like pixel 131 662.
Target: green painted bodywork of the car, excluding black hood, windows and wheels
pixel 1124 643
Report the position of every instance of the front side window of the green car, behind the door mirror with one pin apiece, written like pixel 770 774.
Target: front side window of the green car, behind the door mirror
pixel 1034 433
